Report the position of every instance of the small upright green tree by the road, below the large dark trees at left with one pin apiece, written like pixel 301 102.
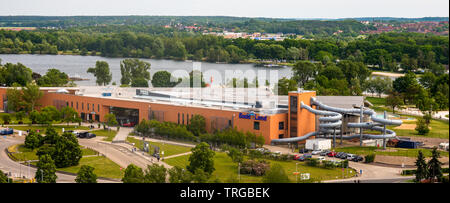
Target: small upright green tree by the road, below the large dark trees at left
pixel 46 170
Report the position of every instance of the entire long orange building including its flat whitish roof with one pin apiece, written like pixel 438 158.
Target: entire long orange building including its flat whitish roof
pixel 256 110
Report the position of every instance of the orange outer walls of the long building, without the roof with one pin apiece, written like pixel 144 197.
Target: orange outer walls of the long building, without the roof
pixel 295 122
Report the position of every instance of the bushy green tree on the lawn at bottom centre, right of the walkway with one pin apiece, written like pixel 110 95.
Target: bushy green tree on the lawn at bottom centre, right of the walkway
pixel 202 157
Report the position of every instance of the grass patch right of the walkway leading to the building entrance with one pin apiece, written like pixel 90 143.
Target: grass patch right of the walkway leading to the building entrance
pixel 169 149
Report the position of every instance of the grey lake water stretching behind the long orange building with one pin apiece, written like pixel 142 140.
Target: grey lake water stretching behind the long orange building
pixel 76 66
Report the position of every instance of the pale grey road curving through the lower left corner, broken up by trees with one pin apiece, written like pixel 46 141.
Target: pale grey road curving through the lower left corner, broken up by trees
pixel 18 170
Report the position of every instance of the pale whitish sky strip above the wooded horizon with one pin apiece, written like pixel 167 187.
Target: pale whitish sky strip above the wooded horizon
pixel 240 8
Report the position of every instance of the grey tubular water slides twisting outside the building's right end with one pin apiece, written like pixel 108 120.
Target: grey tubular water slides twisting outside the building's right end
pixel 330 123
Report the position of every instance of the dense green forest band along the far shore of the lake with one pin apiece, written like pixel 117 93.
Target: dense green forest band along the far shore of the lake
pixel 385 51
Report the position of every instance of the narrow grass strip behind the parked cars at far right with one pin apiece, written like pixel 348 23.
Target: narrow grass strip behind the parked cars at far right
pixel 389 152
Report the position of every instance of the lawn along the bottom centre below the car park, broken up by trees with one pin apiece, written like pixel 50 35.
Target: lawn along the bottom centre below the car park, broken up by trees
pixel 225 169
